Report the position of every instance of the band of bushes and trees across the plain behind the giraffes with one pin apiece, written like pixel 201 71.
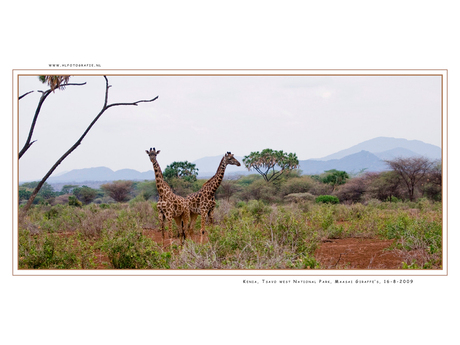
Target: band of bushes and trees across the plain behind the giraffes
pixel 409 179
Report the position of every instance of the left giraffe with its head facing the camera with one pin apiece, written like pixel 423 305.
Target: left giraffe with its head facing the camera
pixel 169 204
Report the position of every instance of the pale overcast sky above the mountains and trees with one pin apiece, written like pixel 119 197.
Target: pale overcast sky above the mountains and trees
pixel 202 116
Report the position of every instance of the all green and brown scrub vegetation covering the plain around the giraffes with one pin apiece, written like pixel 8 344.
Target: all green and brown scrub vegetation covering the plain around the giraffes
pixel 257 225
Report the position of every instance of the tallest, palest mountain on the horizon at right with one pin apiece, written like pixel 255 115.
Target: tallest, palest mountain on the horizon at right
pixel 383 144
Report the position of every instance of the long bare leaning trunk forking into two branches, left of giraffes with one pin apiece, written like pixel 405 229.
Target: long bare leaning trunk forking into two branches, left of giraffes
pixel 78 142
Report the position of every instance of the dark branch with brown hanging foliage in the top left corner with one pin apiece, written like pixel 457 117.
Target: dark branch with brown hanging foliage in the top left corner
pixel 55 82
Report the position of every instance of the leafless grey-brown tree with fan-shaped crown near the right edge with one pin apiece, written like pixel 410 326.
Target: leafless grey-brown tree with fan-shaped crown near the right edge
pixel 412 170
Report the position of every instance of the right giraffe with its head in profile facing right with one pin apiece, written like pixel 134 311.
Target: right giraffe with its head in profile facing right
pixel 203 202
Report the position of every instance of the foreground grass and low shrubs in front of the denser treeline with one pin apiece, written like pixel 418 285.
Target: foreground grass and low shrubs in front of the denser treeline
pixel 246 235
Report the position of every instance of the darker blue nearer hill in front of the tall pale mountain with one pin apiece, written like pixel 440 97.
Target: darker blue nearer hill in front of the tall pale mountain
pixel 353 163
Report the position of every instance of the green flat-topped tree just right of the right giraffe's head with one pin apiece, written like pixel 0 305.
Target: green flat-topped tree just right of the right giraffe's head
pixel 265 162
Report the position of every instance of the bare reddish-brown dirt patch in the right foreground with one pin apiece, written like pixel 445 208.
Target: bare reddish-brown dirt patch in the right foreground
pixel 358 253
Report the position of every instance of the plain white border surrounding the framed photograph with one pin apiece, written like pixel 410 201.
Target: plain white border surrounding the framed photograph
pixel 237 34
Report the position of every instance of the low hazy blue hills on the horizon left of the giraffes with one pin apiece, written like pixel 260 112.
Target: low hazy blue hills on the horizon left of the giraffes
pixel 101 174
